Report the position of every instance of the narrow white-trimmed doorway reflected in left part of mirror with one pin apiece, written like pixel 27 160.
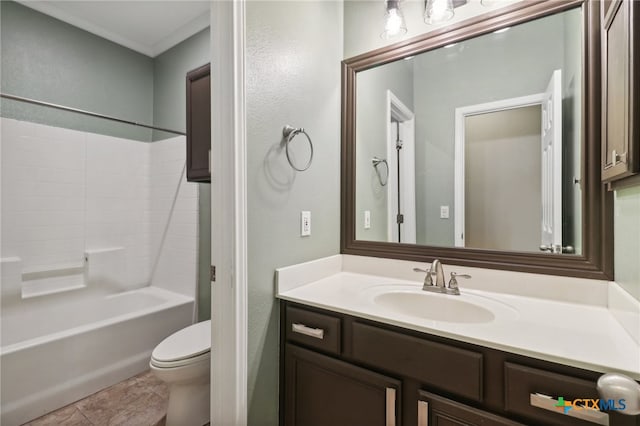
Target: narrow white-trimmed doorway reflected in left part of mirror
pixel 401 192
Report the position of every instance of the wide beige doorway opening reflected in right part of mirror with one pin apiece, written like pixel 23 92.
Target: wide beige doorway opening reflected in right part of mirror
pixel 498 184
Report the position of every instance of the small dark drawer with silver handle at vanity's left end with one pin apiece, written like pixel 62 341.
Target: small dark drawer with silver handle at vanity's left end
pixel 313 329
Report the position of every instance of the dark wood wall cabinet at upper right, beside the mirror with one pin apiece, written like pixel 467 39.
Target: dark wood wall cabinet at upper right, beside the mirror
pixel 620 89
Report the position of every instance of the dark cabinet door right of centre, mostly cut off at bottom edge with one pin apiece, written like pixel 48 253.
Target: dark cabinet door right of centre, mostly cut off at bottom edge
pixel 435 410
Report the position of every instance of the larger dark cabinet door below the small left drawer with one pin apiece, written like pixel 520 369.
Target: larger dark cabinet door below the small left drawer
pixel 322 391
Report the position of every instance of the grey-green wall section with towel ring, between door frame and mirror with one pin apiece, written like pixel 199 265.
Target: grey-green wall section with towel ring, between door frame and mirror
pixel 293 54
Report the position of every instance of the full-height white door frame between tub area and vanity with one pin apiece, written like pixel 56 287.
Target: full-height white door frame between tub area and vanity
pixel 228 215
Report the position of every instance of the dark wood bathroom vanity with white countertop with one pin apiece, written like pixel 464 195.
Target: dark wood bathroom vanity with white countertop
pixel 351 357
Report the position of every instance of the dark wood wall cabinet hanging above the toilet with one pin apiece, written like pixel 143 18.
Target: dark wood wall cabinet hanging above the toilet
pixel 199 124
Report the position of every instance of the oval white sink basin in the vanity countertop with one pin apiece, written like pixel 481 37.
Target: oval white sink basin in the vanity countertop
pixel 436 307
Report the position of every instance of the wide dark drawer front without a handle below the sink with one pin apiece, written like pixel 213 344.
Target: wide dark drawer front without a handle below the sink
pixel 449 368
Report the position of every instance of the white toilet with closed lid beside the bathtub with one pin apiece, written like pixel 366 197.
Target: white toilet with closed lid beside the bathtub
pixel 182 362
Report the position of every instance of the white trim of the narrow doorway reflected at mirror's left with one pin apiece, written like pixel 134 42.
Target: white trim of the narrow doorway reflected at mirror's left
pixel 397 110
